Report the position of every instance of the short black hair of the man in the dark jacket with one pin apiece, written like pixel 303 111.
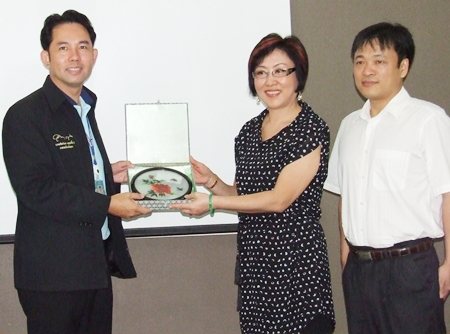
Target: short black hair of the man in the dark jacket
pixel 69 16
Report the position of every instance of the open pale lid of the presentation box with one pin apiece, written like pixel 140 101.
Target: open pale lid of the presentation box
pixel 157 133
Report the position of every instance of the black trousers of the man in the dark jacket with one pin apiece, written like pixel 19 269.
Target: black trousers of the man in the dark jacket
pixel 68 312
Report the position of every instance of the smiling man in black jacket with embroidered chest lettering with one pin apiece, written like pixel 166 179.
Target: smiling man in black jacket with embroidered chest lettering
pixel 69 237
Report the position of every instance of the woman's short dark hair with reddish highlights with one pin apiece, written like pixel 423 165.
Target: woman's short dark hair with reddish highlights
pixel 290 45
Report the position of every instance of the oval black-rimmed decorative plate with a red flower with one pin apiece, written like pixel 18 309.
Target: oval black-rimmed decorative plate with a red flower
pixel 160 183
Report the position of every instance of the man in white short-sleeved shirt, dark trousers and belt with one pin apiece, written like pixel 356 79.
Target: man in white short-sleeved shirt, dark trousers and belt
pixel 391 167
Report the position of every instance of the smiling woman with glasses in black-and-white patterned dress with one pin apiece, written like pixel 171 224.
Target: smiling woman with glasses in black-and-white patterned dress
pixel 281 157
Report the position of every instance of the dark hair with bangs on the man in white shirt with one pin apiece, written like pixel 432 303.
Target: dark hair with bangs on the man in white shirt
pixel 388 35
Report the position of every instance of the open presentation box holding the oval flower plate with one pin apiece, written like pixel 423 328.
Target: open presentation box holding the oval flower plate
pixel 157 140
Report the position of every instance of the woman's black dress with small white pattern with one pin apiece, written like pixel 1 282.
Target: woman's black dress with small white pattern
pixel 282 266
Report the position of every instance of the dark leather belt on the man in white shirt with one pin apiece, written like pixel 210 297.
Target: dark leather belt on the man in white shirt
pixel 363 253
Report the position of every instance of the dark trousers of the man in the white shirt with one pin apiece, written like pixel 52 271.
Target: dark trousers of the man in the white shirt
pixel 397 295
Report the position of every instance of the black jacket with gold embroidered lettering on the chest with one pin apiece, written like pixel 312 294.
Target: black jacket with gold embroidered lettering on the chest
pixel 58 243
